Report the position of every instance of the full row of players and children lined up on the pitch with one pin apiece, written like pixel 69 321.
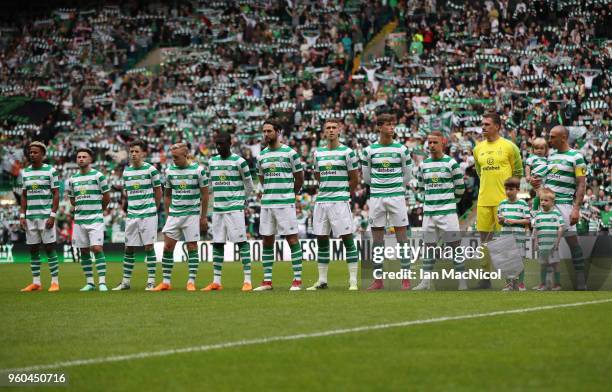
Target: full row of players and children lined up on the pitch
pixel 385 166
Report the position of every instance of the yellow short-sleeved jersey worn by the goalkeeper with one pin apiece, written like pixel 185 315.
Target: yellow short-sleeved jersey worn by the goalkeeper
pixel 495 163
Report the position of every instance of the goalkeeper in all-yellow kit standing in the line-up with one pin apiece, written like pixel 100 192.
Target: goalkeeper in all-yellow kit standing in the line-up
pixel 496 159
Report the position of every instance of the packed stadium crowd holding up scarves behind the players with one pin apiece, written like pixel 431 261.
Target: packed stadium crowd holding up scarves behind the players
pixel 228 65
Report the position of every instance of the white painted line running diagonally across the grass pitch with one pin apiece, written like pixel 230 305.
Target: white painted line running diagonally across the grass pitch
pixel 250 342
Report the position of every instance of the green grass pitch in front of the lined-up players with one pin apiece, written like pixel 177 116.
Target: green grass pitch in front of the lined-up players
pixel 555 348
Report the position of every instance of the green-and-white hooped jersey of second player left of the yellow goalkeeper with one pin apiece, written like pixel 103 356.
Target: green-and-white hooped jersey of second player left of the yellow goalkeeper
pixel 389 167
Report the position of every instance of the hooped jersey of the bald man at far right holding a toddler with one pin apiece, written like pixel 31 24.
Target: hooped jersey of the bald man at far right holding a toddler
pixel 563 168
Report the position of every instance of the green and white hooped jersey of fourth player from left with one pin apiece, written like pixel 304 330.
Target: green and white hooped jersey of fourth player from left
pixel 185 183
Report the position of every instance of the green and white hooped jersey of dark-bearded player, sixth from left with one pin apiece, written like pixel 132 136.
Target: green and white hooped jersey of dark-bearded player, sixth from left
pixel 277 167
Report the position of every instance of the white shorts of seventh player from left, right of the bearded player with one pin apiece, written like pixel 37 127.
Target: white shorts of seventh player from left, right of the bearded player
pixel 336 217
